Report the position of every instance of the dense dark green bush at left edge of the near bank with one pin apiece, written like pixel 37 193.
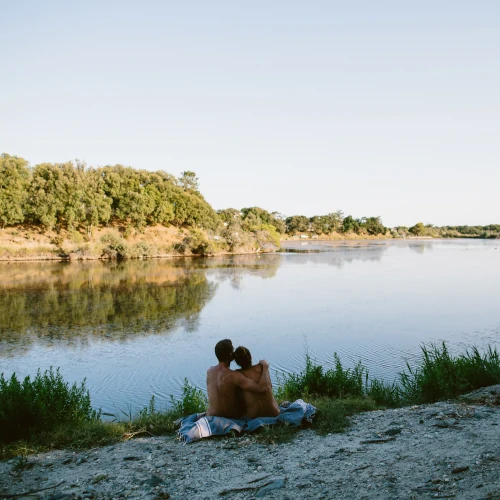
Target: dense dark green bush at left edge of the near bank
pixel 39 405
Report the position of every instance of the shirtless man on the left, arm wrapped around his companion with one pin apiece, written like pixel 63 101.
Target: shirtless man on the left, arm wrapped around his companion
pixel 225 386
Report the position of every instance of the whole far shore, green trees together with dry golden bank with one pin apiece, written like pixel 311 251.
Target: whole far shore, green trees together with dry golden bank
pixel 69 211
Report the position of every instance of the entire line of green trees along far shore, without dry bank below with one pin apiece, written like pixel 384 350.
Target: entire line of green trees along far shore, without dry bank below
pixel 72 195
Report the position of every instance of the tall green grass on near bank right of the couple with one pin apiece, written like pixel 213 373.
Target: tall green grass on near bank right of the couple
pixel 438 375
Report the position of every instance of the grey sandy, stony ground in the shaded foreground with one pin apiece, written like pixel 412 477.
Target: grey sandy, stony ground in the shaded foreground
pixel 444 450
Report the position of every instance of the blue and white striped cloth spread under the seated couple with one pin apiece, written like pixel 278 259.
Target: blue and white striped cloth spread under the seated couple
pixel 198 425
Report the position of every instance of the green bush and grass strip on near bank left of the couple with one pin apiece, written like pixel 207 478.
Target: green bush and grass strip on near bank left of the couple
pixel 48 413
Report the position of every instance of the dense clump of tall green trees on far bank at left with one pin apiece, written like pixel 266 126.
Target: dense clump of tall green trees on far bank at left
pixel 72 195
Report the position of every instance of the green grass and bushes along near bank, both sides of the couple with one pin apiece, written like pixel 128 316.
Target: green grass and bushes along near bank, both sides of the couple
pixel 45 412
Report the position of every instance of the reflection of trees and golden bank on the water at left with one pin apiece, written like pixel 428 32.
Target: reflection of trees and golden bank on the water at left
pixel 115 301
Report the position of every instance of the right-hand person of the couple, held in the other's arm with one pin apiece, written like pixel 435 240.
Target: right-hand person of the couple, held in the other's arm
pixel 260 404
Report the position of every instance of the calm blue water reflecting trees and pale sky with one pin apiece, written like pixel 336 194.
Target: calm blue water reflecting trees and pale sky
pixel 134 329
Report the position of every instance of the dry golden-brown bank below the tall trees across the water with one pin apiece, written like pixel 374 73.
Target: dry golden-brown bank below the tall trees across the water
pixel 27 243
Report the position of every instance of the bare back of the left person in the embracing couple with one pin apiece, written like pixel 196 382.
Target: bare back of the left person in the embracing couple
pixel 224 396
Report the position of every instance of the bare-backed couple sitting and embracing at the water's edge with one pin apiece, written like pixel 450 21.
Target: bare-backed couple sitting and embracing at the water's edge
pixel 238 393
